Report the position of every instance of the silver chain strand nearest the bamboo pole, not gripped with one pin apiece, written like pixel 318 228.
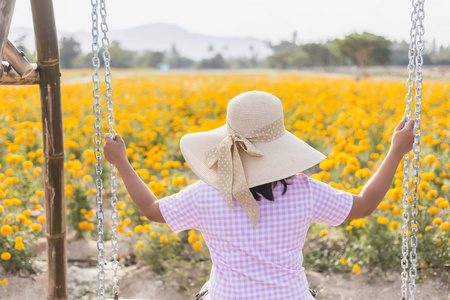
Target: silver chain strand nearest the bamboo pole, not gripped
pixel 98 152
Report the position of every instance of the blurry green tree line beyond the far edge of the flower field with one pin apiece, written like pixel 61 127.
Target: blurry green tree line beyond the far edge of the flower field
pixel 356 49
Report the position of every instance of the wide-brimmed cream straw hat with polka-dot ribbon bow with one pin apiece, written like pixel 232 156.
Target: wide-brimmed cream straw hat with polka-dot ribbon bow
pixel 254 137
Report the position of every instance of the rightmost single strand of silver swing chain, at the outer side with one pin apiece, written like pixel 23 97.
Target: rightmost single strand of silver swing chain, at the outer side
pixel 420 30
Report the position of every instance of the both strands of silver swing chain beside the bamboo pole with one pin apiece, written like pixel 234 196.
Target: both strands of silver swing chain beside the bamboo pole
pixel 98 150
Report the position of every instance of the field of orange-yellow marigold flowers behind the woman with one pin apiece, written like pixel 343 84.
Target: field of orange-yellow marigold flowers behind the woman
pixel 350 121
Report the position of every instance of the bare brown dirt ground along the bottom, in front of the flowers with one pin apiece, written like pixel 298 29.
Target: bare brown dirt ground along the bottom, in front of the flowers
pixel 139 282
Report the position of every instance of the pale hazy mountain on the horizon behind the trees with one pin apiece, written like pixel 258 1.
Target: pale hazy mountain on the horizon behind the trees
pixel 161 37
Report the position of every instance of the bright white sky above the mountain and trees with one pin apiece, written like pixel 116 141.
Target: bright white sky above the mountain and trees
pixel 274 20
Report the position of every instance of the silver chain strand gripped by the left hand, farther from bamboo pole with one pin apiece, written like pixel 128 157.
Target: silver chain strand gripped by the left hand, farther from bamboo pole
pixel 111 121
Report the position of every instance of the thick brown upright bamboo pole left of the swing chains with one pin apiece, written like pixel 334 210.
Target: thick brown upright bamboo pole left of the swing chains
pixel 53 145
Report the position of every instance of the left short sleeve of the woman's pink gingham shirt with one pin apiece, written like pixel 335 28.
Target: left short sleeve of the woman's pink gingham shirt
pixel 180 210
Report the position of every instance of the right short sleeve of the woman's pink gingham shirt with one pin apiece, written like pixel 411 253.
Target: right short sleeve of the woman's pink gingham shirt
pixel 331 205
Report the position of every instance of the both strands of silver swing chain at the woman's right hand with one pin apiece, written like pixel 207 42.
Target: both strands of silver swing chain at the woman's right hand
pixel 414 67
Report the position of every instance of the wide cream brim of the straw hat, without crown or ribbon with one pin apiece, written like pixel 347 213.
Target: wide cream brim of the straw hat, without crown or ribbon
pixel 282 157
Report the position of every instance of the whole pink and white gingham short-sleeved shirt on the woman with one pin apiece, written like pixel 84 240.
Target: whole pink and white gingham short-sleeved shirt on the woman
pixel 265 263
